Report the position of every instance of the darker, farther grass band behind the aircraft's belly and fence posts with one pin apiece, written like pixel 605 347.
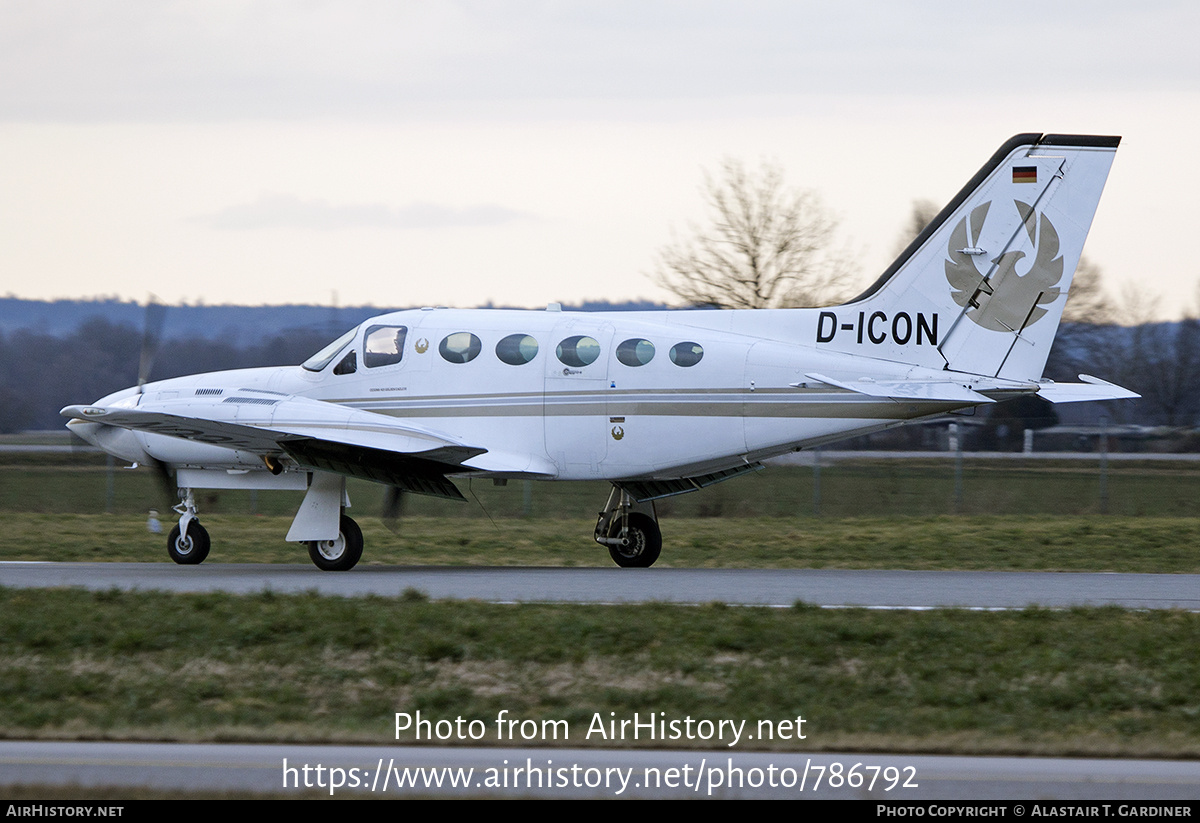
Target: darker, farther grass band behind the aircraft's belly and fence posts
pixel 86 484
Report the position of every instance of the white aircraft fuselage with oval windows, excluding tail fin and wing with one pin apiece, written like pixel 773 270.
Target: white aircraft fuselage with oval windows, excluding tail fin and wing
pixel 669 394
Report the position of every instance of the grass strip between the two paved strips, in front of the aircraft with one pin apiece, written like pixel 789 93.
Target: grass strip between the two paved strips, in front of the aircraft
pixel 272 668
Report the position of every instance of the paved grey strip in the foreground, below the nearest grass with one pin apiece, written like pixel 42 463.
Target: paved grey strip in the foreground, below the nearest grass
pixel 383 772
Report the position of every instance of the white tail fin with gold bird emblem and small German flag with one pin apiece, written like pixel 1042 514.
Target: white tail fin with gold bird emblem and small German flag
pixel 982 289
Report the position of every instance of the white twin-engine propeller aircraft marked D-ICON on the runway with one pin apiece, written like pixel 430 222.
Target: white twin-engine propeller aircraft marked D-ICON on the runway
pixel 658 404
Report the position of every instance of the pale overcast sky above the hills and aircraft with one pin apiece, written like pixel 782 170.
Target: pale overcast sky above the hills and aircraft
pixel 521 153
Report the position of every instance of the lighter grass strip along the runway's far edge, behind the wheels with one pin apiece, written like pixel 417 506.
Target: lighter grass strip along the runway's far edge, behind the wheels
pixel 1156 545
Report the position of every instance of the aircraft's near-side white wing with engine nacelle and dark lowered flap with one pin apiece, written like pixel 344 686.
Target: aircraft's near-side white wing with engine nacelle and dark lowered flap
pixel 315 435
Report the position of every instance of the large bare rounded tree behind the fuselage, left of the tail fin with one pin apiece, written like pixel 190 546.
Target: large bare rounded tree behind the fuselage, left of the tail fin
pixel 767 248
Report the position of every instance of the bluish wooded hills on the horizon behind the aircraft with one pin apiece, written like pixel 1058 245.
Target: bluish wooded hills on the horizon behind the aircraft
pixel 62 352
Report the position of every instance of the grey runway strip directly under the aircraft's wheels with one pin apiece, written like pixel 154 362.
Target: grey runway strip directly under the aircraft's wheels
pixel 751 587
